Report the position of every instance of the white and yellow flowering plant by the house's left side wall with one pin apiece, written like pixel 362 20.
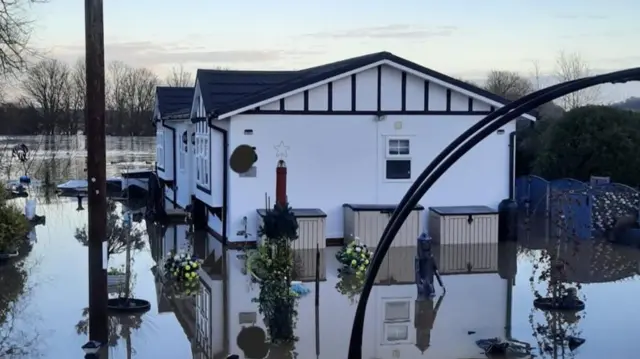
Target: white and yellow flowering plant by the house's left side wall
pixel 182 270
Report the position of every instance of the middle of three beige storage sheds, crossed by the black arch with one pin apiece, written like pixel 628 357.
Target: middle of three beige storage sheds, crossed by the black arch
pixel 367 222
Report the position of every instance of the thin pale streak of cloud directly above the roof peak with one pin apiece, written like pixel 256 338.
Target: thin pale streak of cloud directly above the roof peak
pixel 397 31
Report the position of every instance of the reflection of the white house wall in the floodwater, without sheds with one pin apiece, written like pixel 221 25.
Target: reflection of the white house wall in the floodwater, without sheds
pixel 484 312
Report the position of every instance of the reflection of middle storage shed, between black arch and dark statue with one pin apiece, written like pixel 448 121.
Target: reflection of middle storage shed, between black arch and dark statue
pixel 398 267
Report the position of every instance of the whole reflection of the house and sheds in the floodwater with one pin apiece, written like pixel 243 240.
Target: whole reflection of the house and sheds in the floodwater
pixel 222 318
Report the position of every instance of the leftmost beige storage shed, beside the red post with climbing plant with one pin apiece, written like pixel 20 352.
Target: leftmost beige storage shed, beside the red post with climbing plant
pixel 312 223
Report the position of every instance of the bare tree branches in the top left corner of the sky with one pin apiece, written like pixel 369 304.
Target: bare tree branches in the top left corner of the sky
pixel 15 33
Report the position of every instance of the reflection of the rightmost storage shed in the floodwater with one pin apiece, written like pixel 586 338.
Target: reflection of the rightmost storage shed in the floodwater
pixel 466 258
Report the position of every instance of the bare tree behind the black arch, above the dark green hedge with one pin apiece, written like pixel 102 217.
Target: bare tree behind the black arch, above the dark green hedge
pixel 571 66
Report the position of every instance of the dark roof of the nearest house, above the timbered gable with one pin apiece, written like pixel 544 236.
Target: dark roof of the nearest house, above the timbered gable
pixel 226 91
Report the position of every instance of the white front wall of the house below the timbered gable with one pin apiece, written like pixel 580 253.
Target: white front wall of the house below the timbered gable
pixel 339 159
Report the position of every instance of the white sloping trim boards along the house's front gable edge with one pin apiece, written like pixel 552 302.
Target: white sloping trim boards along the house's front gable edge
pixel 364 68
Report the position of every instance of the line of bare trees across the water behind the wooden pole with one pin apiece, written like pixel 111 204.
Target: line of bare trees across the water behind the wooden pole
pixel 53 99
